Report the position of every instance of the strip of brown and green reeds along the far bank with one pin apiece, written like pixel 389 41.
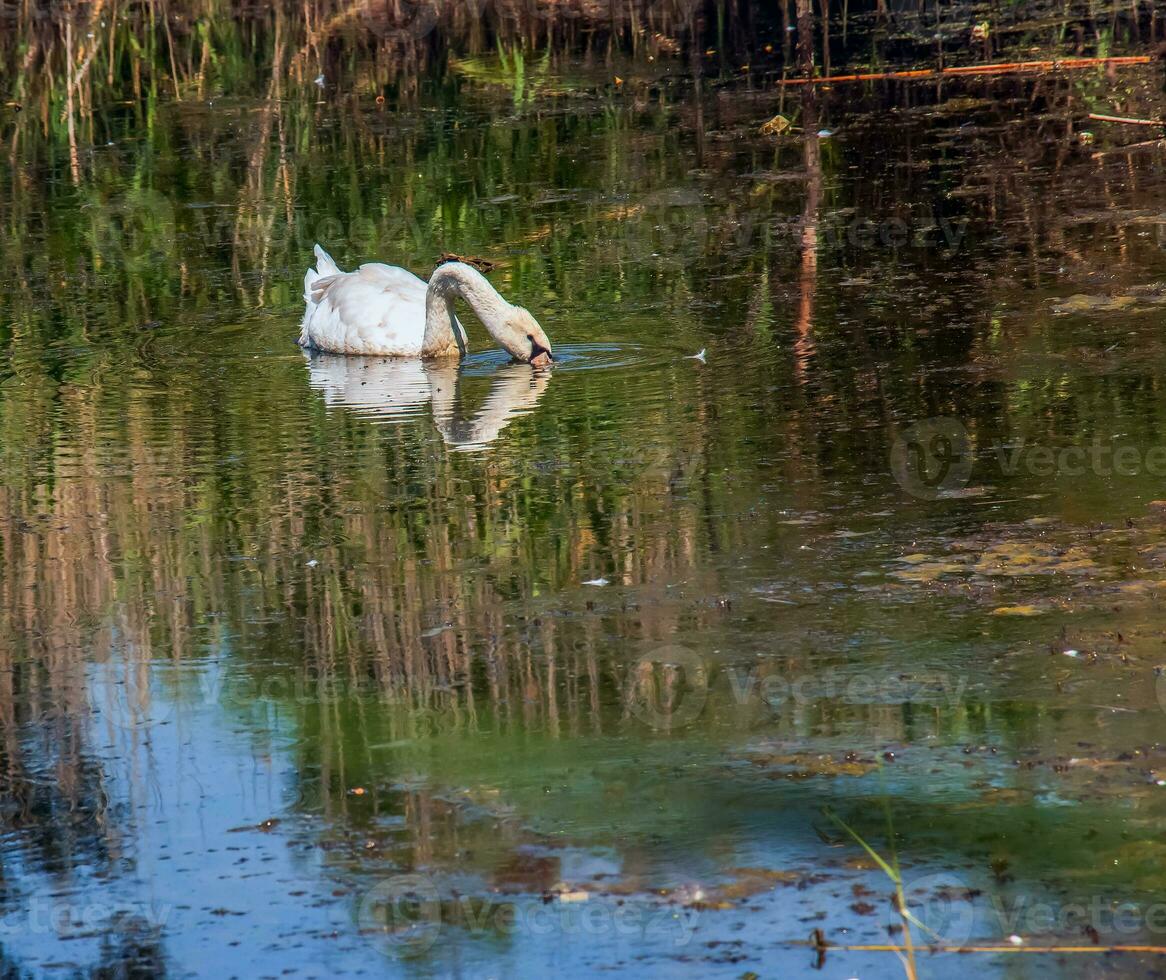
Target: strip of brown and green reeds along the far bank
pixel 398 40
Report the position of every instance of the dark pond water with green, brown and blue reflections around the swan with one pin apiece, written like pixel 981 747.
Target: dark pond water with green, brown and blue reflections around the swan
pixel 318 667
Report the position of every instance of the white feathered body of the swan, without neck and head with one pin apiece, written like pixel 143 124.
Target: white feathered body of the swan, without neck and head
pixel 378 310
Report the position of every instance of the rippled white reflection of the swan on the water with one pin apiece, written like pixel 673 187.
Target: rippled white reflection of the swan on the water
pixel 396 390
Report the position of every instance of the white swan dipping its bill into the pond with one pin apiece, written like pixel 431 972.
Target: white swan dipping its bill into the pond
pixel 390 312
